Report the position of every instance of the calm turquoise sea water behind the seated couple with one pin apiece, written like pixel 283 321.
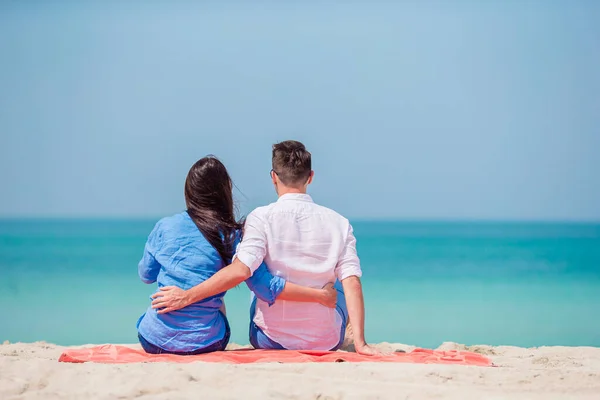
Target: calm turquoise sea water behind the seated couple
pixel 75 281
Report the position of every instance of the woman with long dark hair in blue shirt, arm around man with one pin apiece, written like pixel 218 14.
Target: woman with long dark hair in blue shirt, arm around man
pixel 187 249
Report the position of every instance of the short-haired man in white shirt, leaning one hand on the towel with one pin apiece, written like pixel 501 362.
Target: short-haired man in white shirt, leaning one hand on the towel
pixel 302 242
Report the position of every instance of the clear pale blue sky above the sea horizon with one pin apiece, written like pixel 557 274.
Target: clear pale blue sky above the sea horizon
pixel 453 110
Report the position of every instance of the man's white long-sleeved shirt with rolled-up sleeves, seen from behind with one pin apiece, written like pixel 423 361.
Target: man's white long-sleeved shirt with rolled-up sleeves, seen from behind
pixel 306 244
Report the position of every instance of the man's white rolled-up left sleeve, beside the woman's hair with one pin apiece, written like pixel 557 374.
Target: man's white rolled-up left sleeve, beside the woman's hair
pixel 253 248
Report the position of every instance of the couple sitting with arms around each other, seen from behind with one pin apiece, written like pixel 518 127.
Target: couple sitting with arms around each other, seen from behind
pixel 298 258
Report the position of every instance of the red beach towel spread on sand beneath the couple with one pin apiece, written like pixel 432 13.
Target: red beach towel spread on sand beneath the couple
pixel 113 354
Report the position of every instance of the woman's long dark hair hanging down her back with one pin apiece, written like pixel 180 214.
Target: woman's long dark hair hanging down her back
pixel 209 201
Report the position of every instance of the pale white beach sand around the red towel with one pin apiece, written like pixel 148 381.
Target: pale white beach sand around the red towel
pixel 31 371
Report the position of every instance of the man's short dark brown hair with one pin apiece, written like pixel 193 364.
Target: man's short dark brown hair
pixel 291 162
